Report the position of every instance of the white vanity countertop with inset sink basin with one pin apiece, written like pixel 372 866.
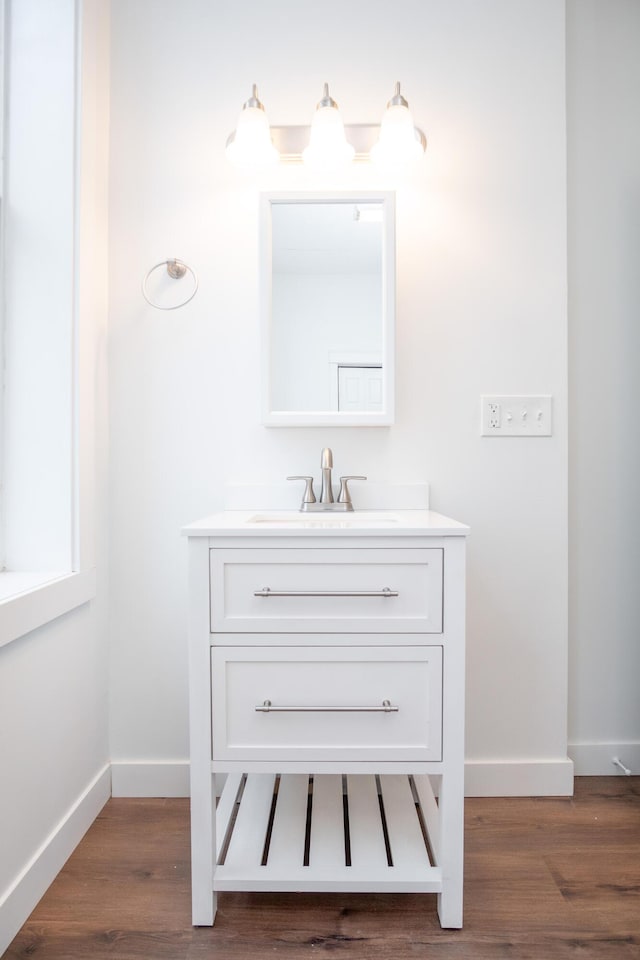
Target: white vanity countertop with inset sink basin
pixel 266 523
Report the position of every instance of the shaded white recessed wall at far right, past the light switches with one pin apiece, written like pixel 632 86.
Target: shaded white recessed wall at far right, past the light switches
pixel 603 72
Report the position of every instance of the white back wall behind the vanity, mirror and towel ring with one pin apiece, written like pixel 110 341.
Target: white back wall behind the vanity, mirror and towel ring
pixel 481 244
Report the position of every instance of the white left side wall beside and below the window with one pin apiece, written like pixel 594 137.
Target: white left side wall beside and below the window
pixel 53 681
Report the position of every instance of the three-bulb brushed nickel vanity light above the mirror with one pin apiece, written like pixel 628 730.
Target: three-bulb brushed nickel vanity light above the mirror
pixel 328 145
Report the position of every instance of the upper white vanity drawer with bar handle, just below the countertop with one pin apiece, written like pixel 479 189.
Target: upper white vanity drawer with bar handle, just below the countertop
pixel 349 590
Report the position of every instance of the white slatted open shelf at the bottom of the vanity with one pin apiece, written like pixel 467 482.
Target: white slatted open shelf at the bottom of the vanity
pixel 326 832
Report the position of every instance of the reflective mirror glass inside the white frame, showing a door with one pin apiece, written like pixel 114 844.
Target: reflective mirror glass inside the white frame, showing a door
pixel 326 306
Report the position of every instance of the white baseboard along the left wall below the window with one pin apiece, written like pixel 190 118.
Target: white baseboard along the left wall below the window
pixel 19 899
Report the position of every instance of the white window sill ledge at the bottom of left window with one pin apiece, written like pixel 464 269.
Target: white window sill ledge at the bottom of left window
pixel 31 600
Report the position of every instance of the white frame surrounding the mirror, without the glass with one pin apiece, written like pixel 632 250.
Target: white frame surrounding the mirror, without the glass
pixel 321 418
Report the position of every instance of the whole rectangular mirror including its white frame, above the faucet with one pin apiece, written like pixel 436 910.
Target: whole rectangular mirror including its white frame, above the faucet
pixel 328 308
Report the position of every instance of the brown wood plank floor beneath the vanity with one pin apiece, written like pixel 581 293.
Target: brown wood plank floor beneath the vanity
pixel 546 879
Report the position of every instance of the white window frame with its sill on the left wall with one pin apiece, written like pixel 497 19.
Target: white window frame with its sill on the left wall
pixel 32 593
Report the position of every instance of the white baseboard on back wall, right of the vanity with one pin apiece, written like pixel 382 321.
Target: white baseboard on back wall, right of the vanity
pixel 530 778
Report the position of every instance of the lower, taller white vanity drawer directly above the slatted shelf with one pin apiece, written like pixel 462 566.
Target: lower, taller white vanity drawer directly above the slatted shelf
pixel 327 703
